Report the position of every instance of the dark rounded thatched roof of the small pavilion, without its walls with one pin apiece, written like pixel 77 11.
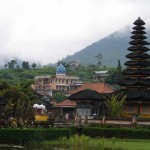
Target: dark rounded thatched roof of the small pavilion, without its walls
pixel 87 95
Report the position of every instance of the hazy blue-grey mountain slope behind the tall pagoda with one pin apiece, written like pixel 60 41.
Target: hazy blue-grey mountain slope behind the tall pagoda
pixel 112 48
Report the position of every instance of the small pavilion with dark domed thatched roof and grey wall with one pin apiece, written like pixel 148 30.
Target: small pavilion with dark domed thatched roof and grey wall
pixel 89 103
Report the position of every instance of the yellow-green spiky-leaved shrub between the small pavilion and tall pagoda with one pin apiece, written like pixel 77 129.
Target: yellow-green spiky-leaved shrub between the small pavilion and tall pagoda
pixel 115 104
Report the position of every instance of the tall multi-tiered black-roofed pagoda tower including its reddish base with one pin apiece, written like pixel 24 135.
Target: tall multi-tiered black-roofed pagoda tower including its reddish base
pixel 136 82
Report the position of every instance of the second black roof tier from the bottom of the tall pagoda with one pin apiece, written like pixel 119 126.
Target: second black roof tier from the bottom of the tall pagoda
pixel 135 82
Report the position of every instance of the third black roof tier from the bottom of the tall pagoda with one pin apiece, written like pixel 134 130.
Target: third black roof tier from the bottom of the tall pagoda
pixel 145 72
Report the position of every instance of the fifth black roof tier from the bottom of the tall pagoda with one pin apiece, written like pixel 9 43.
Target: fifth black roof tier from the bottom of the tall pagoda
pixel 138 56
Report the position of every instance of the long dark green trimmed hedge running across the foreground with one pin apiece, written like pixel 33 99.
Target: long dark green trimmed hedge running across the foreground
pixel 23 136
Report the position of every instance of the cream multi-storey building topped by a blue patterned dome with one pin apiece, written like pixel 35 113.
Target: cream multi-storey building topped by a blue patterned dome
pixel 47 85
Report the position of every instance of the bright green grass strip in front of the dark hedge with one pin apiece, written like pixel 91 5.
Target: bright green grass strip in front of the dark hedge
pixel 86 143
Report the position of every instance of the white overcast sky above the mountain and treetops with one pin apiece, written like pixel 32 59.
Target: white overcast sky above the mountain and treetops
pixel 45 31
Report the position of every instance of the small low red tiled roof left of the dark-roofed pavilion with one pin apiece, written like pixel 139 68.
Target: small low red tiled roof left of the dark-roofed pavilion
pixel 66 103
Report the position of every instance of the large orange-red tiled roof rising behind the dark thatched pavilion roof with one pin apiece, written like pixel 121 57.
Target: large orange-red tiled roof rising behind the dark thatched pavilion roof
pixel 99 87
